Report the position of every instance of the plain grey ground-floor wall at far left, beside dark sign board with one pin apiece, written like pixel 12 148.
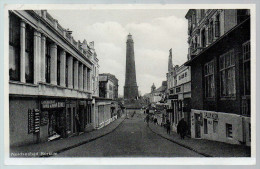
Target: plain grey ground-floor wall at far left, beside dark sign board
pixel 18 114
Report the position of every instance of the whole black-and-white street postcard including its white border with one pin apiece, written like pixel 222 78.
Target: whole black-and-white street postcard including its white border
pixel 130 82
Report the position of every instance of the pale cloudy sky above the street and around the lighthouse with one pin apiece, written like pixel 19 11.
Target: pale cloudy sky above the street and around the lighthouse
pixel 154 31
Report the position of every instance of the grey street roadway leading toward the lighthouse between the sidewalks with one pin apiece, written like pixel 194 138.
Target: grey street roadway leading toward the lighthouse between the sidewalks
pixel 131 139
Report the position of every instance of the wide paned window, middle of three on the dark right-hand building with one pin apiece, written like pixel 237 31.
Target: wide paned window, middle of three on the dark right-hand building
pixel 227 74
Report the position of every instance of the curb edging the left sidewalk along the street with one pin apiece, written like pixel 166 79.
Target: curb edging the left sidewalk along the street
pixel 81 143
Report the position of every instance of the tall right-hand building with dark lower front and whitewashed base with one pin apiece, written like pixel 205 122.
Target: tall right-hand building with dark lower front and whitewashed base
pixel 219 56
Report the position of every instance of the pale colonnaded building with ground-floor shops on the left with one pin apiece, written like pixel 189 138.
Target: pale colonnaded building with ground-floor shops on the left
pixel 50 92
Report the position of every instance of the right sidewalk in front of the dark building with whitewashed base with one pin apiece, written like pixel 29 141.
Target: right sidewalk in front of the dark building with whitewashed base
pixel 204 147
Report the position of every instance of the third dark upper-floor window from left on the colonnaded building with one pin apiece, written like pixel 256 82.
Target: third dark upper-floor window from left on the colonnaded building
pixel 48 62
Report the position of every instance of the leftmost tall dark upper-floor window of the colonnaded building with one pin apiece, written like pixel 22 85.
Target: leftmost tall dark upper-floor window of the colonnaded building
pixel 14 48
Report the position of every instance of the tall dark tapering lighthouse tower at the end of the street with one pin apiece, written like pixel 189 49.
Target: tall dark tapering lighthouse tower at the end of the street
pixel 130 88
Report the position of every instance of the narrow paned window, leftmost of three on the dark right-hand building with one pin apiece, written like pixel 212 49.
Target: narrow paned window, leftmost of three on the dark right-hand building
pixel 209 80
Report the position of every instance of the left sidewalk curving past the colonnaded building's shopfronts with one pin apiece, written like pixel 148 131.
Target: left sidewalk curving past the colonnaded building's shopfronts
pixel 47 149
